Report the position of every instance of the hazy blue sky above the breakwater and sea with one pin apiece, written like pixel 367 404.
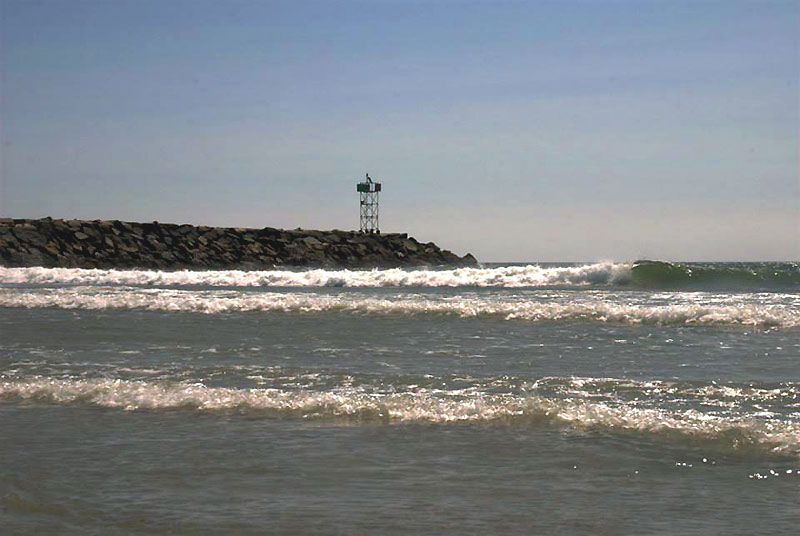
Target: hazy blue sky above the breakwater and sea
pixel 517 131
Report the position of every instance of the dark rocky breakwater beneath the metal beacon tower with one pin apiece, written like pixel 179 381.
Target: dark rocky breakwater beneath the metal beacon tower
pixel 117 244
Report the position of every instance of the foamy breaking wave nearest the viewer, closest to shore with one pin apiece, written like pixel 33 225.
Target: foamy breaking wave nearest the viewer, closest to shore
pixel 728 432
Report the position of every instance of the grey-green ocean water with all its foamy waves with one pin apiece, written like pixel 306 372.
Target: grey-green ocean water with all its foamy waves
pixel 604 398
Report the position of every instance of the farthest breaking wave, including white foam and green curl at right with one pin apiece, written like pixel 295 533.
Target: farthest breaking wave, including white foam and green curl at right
pixel 645 274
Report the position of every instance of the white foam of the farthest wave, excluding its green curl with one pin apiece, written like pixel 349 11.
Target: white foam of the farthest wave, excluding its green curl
pixel 507 276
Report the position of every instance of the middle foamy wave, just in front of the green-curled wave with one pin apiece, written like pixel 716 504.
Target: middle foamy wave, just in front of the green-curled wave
pixel 218 302
